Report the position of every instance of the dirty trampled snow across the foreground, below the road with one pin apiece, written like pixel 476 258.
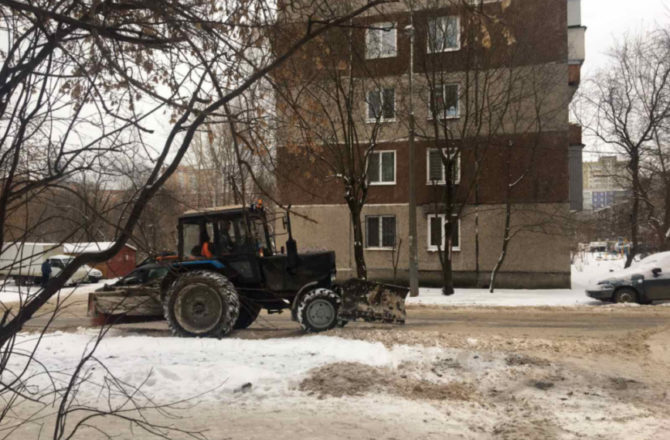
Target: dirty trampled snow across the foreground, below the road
pixel 461 392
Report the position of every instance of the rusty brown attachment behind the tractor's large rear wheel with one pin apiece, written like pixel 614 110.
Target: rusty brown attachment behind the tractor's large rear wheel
pixel 127 301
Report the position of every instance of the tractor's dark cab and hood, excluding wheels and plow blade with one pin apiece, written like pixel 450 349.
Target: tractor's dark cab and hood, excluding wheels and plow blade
pixel 236 242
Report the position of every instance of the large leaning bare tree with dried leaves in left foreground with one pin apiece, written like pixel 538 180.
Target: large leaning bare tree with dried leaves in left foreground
pixel 83 86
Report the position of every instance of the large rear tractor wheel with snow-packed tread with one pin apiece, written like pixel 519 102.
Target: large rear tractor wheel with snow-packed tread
pixel 202 304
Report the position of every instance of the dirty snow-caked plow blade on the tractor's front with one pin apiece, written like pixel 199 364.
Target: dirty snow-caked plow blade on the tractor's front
pixel 372 301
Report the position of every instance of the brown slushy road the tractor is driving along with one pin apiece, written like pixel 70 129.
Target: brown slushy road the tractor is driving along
pixel 590 321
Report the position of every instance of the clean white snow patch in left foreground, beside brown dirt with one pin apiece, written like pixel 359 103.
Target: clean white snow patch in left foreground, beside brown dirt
pixel 174 369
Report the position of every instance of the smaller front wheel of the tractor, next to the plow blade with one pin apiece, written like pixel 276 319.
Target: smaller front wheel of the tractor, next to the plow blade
pixel 317 310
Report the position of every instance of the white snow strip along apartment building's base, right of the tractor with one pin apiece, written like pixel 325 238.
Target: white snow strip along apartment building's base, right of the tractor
pixel 587 271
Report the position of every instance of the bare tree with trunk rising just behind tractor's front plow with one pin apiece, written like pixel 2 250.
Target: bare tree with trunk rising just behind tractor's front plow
pixel 332 131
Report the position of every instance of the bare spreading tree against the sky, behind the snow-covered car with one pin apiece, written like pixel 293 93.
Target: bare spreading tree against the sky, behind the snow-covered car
pixel 627 106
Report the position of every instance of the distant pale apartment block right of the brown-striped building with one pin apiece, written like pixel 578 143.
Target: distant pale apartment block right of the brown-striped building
pixel 604 183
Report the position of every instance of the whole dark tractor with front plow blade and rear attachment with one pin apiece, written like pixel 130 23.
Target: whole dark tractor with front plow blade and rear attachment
pixel 227 269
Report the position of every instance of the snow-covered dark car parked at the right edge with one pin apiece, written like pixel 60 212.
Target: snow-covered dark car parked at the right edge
pixel 646 281
